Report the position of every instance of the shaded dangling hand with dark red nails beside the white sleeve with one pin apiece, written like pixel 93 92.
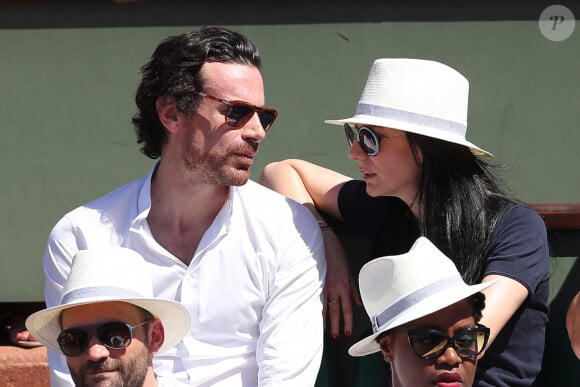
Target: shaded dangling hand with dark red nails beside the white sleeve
pixel 339 287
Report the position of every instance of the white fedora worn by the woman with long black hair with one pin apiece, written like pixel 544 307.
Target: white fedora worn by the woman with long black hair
pixel 418 96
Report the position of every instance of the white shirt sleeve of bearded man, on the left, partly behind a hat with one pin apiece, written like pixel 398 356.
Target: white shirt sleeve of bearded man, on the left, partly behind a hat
pixel 60 249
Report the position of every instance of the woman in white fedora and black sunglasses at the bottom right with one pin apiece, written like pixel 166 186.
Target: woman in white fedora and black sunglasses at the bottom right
pixel 425 322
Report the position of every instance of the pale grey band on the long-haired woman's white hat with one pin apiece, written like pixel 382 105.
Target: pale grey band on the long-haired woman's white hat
pixel 411 118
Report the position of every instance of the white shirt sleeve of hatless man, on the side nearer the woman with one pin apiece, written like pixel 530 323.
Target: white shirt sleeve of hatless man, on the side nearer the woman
pixel 289 348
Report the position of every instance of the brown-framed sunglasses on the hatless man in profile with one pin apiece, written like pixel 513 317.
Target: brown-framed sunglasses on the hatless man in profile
pixel 240 112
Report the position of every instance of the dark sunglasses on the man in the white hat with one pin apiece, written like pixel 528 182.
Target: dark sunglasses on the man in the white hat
pixel 114 334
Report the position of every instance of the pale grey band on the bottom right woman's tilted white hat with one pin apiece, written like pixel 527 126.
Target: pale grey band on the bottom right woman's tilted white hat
pixel 384 317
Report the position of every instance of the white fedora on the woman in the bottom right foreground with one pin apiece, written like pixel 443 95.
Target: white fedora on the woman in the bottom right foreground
pixel 401 288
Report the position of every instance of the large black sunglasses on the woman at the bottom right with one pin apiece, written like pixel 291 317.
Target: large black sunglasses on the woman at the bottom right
pixel 429 344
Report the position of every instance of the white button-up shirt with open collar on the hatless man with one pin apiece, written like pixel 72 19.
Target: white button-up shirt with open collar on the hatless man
pixel 253 287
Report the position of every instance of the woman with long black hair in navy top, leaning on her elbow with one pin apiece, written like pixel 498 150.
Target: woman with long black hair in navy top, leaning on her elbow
pixel 420 176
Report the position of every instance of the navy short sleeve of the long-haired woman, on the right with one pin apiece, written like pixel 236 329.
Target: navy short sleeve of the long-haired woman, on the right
pixel 519 248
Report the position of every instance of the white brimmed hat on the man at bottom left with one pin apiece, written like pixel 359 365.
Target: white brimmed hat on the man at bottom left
pixel 110 274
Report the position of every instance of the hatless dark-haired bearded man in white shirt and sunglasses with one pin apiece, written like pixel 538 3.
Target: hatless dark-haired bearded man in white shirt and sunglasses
pixel 247 262
